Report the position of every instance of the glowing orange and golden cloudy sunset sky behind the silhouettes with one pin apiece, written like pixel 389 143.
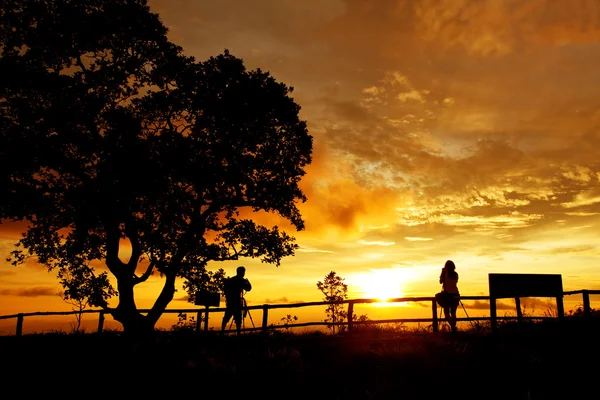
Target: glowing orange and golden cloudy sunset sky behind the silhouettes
pixel 463 130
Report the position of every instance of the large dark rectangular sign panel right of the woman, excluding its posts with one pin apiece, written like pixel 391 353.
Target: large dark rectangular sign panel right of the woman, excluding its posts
pixel 525 285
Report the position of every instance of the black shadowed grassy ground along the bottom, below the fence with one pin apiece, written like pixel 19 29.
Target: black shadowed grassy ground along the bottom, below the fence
pixel 533 361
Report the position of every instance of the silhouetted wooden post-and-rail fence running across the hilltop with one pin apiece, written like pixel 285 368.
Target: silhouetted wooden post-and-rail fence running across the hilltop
pixel 203 314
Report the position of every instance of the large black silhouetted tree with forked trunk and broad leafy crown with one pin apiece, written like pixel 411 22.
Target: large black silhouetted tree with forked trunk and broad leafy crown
pixel 111 136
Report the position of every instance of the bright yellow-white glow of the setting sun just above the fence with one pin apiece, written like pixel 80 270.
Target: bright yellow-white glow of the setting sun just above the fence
pixel 383 284
